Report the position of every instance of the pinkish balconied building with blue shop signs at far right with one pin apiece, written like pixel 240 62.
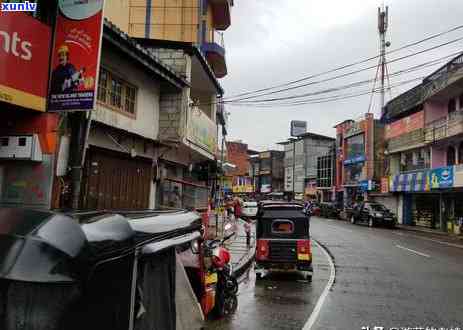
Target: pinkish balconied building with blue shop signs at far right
pixel 424 135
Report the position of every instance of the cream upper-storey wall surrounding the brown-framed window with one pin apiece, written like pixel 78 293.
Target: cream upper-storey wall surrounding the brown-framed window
pixel 146 123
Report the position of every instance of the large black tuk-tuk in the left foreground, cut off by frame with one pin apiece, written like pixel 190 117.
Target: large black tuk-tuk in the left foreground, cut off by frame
pixel 95 270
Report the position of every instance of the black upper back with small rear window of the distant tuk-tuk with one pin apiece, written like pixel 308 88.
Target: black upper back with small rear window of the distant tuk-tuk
pixel 284 223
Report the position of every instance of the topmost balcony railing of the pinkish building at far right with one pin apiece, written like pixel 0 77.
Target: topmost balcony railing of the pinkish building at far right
pixel 447 127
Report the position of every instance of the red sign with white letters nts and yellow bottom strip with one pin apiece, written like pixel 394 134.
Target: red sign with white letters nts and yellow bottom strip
pixel 24 54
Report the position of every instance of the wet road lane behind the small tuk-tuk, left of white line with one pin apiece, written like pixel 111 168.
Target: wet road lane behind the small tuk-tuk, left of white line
pixel 278 301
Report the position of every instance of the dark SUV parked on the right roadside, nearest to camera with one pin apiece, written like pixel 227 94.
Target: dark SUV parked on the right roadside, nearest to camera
pixel 373 214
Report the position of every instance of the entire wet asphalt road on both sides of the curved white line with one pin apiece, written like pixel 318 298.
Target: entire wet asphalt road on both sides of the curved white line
pixel 384 278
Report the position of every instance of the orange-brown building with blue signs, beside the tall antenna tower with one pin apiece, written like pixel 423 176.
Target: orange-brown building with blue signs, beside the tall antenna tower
pixel 359 159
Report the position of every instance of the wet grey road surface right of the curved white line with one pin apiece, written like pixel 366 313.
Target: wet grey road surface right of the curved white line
pixel 380 282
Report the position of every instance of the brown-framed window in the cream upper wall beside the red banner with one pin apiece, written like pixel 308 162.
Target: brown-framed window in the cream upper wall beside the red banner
pixel 116 93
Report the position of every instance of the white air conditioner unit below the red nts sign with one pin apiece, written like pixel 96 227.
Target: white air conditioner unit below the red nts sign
pixel 20 147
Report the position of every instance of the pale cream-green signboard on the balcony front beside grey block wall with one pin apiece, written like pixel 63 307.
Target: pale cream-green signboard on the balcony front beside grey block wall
pixel 202 131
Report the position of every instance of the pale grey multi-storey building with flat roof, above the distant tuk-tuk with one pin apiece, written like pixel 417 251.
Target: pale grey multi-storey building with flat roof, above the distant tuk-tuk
pixel 301 159
